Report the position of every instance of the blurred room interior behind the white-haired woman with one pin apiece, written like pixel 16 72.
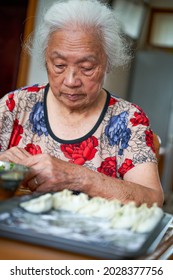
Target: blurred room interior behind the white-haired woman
pixel 147 81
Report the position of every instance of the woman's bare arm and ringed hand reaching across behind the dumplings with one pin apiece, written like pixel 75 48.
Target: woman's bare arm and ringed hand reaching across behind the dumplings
pixel 141 184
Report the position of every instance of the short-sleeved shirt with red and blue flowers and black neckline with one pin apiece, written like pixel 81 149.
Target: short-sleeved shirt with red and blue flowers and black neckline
pixel 120 139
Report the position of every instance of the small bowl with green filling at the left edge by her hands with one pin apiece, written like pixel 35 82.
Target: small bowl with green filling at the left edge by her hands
pixel 11 175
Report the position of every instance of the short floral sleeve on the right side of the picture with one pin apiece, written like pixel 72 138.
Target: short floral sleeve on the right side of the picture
pixel 139 146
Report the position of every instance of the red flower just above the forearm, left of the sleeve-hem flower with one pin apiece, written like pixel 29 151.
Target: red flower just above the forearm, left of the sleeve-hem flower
pixel 108 167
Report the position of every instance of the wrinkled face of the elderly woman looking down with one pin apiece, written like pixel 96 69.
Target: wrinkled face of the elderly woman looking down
pixel 76 66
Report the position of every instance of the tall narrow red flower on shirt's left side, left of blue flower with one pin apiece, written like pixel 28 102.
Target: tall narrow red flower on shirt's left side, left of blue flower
pixel 16 134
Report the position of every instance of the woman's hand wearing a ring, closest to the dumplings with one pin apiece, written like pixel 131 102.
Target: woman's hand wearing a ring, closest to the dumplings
pixel 50 174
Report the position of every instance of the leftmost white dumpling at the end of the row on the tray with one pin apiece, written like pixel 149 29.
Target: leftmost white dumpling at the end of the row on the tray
pixel 37 205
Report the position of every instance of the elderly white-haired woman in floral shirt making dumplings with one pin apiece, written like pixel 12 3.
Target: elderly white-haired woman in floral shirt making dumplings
pixel 72 132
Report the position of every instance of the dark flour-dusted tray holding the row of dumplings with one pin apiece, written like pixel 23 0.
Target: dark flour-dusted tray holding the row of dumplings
pixel 76 233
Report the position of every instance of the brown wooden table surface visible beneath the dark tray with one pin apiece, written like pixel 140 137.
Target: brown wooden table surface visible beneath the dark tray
pixel 19 250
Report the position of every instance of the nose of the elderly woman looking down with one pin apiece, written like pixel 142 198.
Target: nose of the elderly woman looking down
pixel 72 78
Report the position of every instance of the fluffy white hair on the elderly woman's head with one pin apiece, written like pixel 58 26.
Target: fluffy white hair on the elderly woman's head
pixel 91 14
